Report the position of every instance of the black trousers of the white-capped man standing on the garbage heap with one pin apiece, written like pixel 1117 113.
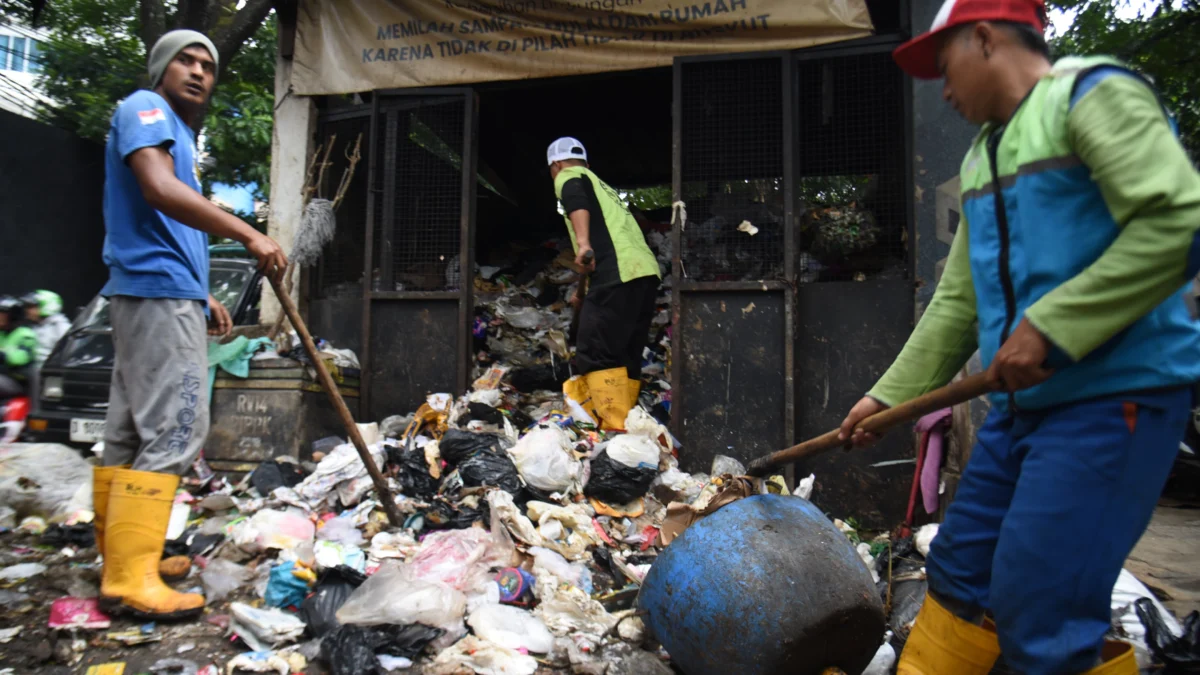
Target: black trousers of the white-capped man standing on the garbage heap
pixel 615 324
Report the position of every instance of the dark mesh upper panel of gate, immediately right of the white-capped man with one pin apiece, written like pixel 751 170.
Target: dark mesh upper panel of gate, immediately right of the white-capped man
pixel 733 170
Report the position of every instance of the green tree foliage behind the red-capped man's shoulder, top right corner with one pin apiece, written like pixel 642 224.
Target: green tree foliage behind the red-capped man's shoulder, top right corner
pixel 1162 40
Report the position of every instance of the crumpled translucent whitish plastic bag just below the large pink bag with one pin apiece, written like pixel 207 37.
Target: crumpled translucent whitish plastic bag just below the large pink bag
pixel 394 595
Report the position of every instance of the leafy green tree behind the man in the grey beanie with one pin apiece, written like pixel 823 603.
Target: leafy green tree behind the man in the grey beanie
pixel 97 57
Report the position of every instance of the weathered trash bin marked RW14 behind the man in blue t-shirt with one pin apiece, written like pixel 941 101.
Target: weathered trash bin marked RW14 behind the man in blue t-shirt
pixel 279 411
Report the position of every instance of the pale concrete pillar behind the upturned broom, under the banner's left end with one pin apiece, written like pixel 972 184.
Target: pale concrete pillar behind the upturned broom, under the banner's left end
pixel 291 145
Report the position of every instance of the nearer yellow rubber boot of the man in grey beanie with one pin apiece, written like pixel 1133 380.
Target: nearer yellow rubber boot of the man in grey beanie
pixel 136 529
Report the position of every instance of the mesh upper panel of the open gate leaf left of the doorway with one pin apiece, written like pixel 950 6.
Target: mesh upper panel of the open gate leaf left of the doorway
pixel 424 159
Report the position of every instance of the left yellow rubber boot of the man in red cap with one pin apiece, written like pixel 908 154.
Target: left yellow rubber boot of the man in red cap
pixel 944 644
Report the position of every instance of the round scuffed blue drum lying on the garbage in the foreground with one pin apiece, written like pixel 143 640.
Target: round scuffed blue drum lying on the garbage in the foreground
pixel 764 587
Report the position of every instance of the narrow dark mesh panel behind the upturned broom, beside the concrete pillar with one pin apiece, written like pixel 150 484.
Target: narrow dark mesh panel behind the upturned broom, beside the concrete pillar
pixel 341 265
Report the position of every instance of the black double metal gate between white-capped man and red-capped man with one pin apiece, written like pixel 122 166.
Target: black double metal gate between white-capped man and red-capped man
pixel 793 279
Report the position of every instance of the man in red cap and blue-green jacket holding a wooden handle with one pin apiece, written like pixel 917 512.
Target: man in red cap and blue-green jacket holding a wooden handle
pixel 1069 273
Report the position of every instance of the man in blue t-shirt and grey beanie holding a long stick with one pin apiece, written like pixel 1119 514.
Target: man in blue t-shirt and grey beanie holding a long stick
pixel 158 226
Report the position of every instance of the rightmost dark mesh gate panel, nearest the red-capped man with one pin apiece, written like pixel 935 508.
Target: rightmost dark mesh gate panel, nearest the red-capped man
pixel 851 168
